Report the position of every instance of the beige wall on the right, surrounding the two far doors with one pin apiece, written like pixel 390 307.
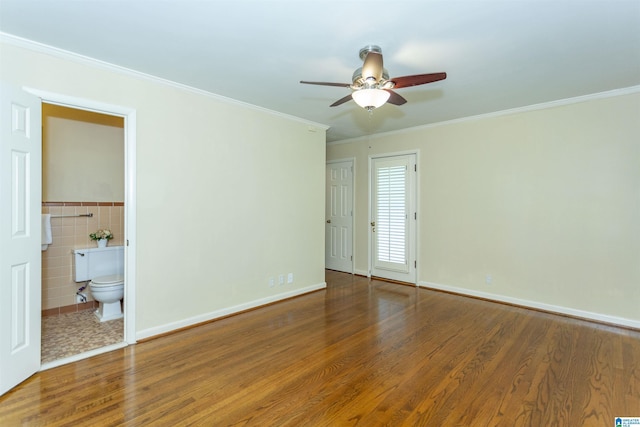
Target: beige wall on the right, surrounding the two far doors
pixel 547 202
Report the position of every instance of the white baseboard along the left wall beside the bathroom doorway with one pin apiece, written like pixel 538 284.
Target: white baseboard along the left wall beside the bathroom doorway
pixel 163 329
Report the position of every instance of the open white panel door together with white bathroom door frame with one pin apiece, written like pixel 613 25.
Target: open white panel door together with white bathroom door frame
pixel 20 216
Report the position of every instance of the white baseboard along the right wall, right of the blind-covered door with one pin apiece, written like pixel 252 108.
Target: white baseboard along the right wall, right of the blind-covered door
pixel 598 317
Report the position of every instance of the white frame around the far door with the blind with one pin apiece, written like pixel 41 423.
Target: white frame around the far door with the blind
pixel 416 195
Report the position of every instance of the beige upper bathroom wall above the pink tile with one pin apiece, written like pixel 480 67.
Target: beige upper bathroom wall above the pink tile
pixel 82 156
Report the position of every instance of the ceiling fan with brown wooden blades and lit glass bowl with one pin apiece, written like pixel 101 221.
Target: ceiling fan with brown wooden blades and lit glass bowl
pixel 371 86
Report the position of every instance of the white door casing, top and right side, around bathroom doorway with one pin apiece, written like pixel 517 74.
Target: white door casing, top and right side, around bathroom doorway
pixel 129 116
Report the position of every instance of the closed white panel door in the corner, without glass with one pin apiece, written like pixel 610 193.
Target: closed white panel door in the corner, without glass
pixel 339 217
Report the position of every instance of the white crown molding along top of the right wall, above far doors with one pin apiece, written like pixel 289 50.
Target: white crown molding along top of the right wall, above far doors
pixel 534 107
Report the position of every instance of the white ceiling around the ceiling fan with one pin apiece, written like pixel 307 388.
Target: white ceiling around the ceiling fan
pixel 498 55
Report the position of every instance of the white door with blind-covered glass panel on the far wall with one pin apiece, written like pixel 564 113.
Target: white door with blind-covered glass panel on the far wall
pixel 393 218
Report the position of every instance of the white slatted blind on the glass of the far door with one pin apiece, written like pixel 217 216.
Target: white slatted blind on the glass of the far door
pixel 391 221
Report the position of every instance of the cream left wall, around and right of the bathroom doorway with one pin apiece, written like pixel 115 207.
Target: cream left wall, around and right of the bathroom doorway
pixel 227 195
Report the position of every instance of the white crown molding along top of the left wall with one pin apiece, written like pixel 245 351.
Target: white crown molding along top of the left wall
pixel 86 60
